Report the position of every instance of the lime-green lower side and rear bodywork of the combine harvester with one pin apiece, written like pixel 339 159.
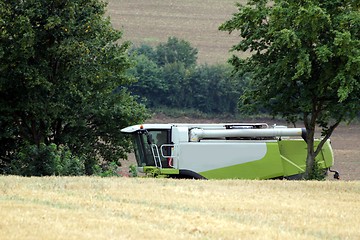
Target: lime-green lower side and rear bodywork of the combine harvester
pixel 283 158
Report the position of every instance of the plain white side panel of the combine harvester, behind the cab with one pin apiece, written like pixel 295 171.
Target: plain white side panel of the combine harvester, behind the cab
pixel 205 156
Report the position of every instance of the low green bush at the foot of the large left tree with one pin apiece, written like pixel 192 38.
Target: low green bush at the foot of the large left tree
pixel 46 160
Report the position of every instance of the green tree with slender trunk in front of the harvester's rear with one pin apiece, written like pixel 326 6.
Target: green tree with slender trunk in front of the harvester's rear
pixel 305 61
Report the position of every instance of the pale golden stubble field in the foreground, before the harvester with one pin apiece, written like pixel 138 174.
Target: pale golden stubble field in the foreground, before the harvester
pixel 138 208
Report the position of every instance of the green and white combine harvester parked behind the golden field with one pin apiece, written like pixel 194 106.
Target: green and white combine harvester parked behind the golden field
pixel 223 151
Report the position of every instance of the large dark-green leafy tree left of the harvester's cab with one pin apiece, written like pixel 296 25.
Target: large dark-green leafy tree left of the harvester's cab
pixel 61 72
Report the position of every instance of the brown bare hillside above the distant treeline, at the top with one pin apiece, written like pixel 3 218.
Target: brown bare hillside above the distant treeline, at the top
pixel 196 21
